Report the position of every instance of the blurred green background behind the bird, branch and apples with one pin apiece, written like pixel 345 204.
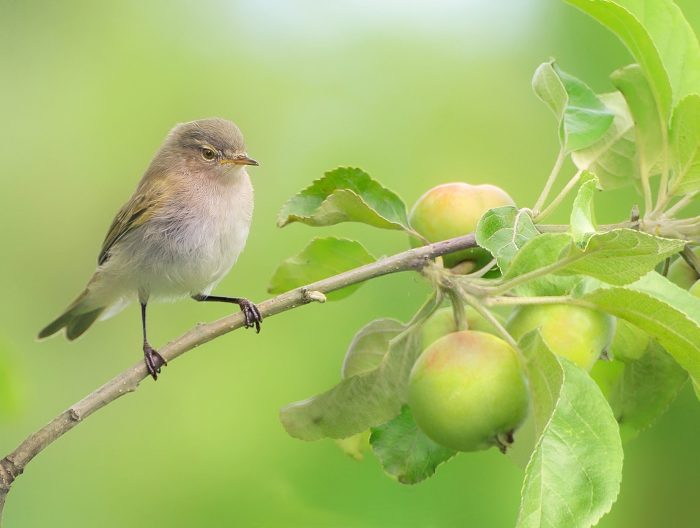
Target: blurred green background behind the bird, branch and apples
pixel 415 92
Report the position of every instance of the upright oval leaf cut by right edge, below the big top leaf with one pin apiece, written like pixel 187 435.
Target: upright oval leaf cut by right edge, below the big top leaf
pixel 685 146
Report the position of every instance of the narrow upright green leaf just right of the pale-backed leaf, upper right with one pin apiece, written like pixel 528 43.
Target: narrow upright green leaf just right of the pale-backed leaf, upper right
pixel 650 126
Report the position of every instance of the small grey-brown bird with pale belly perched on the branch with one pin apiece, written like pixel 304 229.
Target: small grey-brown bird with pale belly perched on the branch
pixel 178 235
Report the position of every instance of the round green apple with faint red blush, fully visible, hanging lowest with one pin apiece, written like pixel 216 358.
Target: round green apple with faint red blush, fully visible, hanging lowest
pixel 467 391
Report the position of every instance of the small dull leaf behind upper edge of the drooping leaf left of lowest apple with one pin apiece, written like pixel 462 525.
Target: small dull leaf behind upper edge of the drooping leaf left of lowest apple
pixel 369 346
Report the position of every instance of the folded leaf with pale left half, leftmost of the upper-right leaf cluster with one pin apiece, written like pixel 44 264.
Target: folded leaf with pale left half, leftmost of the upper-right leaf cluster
pixel 583 118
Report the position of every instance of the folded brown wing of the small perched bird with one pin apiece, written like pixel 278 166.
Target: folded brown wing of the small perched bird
pixel 142 206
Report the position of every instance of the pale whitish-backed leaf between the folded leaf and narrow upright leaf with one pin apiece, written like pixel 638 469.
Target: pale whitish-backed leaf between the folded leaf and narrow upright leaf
pixel 613 158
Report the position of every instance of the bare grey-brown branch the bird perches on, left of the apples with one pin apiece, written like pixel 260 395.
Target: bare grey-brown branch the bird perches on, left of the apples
pixel 128 381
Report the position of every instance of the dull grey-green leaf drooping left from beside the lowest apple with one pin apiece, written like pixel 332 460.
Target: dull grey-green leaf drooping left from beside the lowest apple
pixel 358 402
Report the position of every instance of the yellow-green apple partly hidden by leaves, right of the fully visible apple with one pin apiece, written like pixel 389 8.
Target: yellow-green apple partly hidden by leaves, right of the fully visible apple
pixel 576 333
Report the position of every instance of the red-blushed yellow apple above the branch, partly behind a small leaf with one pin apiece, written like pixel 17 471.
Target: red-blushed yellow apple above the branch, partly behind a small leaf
pixel 454 209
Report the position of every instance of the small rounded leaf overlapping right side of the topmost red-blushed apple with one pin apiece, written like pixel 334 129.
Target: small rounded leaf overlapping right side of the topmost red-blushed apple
pixel 503 231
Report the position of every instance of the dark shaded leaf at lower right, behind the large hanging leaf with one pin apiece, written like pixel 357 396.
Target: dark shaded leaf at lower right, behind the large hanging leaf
pixel 645 391
